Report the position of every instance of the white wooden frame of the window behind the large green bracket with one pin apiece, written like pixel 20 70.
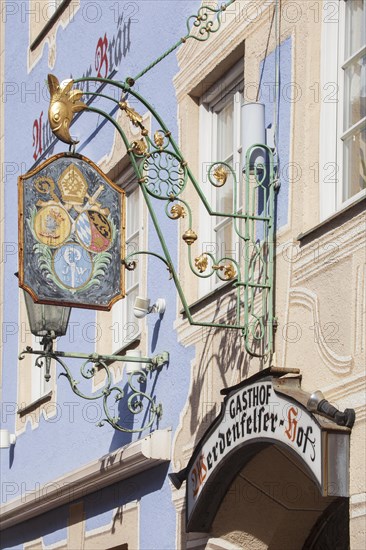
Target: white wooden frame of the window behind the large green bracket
pixel 229 86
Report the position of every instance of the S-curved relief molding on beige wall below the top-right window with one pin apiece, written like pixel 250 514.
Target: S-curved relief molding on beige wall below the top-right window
pixel 339 364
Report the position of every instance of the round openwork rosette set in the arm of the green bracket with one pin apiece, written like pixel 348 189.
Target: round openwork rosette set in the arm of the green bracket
pixel 166 175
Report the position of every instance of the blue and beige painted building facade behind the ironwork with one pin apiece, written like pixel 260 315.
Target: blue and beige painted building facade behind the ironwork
pixel 67 483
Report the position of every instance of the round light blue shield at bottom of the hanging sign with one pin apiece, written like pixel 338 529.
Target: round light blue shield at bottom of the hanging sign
pixel 73 266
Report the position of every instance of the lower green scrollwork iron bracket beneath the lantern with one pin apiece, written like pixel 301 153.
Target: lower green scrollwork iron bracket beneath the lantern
pixel 137 401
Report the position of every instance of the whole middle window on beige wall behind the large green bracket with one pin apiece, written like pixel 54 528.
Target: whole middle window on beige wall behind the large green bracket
pixel 220 142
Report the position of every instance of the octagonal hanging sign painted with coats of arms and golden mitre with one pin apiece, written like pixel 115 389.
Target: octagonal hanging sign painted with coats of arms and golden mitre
pixel 71 234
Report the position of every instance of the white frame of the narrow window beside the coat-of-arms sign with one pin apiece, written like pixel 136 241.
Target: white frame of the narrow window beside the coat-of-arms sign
pixel 124 335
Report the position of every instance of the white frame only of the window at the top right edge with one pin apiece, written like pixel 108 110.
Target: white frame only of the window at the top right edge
pixel 332 94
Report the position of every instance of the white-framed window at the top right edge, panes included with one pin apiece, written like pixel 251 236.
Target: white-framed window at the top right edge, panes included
pixel 343 109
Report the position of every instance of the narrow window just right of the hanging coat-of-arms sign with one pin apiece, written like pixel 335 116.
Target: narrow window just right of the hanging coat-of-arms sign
pixel 125 326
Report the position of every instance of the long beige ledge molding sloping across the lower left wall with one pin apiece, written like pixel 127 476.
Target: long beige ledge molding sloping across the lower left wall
pixel 112 468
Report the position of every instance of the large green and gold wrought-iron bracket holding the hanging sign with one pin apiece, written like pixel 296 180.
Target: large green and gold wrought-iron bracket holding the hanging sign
pixel 163 175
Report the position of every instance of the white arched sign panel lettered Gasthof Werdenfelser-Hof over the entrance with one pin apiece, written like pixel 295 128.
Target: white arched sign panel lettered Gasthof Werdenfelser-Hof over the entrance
pixel 254 413
